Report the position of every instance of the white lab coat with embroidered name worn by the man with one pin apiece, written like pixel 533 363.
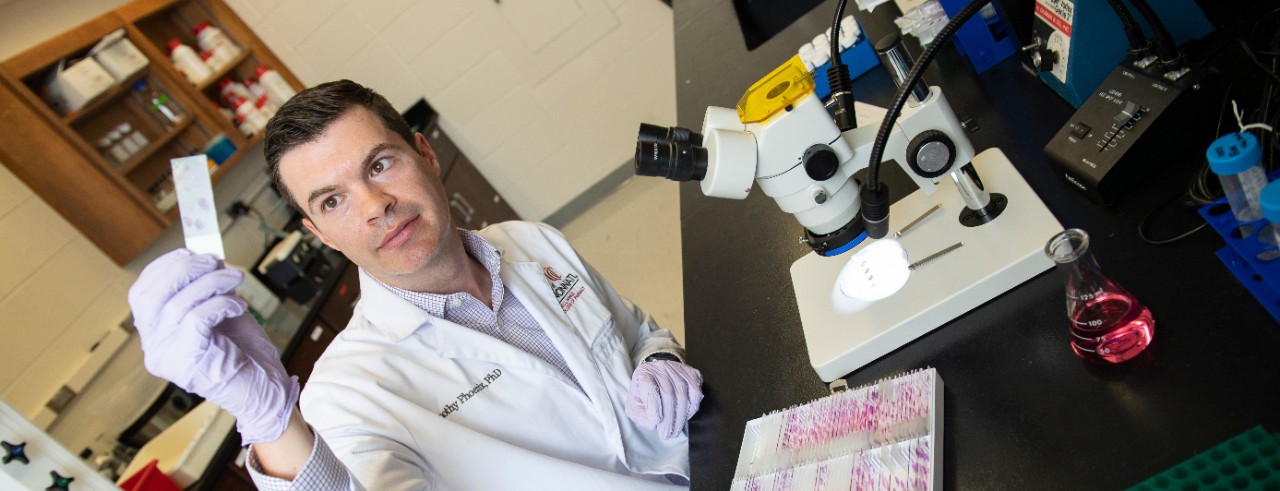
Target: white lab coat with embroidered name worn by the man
pixel 408 401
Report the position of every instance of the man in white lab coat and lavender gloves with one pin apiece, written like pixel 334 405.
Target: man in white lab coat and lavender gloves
pixel 492 360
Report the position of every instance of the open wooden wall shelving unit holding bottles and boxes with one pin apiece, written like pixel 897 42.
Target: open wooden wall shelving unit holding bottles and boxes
pixel 116 204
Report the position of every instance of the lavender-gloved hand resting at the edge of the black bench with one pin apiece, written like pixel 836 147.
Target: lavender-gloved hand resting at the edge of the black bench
pixel 665 396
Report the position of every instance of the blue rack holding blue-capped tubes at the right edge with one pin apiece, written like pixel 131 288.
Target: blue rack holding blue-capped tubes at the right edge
pixel 1241 255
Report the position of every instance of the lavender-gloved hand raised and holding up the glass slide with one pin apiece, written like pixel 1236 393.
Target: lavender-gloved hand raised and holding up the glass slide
pixel 199 336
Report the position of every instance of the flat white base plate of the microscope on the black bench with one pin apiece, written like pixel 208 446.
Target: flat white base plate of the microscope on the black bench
pixel 844 334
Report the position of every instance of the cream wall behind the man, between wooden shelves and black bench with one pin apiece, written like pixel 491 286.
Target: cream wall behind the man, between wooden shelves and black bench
pixel 545 97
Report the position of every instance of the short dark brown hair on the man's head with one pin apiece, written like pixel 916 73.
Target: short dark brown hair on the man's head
pixel 305 117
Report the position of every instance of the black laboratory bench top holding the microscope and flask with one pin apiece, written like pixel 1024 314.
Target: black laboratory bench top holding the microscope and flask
pixel 1021 411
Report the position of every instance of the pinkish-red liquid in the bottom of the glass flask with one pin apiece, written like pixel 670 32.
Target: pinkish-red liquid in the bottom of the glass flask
pixel 1112 328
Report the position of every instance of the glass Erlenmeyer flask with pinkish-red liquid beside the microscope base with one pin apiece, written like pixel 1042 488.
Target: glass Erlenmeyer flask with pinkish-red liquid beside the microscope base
pixel 1108 324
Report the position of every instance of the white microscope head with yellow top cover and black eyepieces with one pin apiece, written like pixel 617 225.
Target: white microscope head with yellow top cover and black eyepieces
pixel 781 137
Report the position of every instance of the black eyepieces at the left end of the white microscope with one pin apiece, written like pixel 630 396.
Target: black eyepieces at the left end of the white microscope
pixel 674 153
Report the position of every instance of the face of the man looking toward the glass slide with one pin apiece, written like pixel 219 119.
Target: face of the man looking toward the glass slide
pixel 371 195
